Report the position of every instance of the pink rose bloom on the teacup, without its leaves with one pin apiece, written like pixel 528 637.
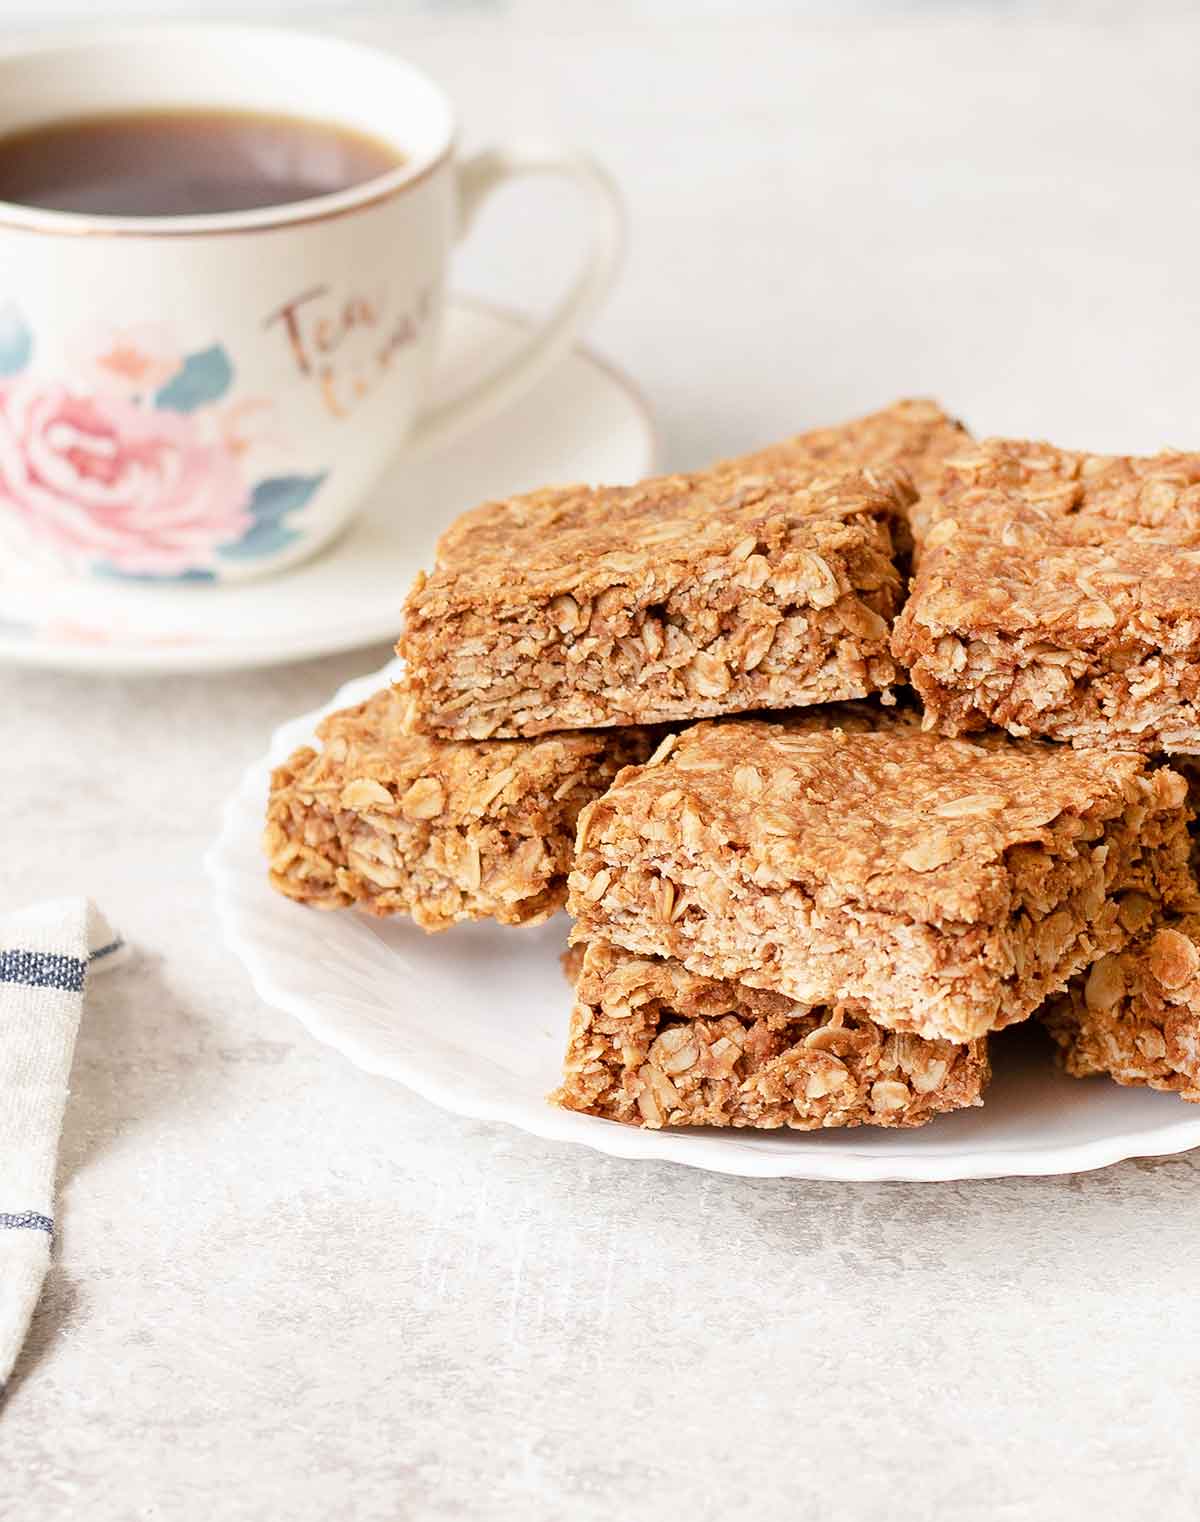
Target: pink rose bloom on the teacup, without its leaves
pixel 106 480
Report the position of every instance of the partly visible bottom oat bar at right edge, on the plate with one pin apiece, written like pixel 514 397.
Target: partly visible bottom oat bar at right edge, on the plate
pixel 1137 1014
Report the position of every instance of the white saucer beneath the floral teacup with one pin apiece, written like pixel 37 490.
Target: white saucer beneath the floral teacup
pixel 586 422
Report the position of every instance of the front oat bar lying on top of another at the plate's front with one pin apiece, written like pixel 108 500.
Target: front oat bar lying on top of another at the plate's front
pixel 946 887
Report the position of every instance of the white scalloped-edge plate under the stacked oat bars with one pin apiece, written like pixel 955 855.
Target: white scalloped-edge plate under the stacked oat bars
pixel 476 1021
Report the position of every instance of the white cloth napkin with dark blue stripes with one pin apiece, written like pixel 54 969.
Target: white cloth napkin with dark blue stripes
pixel 46 954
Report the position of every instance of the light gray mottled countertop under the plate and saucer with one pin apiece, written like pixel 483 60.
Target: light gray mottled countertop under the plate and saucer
pixel 284 1290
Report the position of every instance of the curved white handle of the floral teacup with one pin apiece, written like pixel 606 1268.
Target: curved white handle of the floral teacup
pixel 477 177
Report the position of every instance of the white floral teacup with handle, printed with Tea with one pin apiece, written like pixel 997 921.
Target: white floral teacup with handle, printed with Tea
pixel 211 398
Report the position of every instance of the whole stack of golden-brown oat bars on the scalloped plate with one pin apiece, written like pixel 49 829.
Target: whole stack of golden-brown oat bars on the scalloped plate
pixel 805 891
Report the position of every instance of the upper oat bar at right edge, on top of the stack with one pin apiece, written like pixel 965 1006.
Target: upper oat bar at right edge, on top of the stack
pixel 1059 596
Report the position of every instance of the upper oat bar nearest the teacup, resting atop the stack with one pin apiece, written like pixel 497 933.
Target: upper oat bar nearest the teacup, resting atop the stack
pixel 678 599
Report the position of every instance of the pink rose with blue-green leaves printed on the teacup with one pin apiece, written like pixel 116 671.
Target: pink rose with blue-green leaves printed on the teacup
pixel 139 465
